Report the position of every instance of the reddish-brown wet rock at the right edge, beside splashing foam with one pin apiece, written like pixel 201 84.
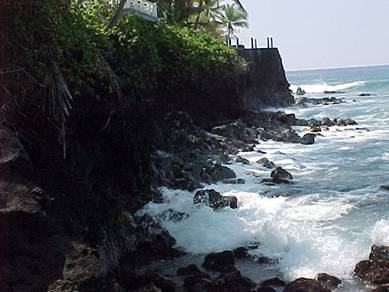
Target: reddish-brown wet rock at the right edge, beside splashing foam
pixel 376 269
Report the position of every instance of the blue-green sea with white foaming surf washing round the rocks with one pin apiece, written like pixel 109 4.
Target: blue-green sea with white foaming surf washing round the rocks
pixel 335 210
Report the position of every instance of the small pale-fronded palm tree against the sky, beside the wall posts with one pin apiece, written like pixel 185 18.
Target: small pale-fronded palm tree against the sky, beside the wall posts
pixel 230 18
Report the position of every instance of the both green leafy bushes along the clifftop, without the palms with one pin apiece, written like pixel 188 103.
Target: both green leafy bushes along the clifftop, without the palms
pixel 147 57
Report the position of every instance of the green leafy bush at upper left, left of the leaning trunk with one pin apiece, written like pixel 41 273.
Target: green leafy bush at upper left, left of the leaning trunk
pixel 70 39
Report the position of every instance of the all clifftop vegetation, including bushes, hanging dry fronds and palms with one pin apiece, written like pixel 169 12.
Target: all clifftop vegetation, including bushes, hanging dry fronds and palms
pixel 68 49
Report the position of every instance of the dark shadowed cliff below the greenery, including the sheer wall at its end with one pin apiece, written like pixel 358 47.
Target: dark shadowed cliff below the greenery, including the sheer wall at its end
pixel 67 224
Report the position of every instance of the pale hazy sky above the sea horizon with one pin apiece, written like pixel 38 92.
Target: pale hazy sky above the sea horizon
pixel 322 33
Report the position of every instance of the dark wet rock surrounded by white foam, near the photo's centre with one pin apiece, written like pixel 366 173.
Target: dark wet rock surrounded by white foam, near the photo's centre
pixel 214 199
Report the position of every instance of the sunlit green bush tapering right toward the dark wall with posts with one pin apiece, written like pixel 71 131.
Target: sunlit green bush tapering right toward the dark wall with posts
pixel 163 55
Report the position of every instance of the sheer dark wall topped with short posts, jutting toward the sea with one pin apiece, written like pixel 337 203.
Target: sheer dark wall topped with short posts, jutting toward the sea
pixel 265 83
